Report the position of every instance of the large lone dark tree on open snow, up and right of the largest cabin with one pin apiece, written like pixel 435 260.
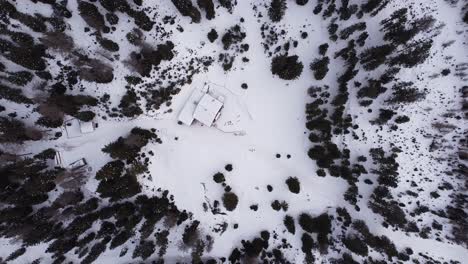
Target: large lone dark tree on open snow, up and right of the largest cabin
pixel 286 67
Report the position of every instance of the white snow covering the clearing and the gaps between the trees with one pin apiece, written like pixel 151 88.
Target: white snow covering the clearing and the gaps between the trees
pixel 262 133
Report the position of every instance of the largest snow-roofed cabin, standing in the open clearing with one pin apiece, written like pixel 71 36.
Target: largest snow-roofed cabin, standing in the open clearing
pixel 203 107
